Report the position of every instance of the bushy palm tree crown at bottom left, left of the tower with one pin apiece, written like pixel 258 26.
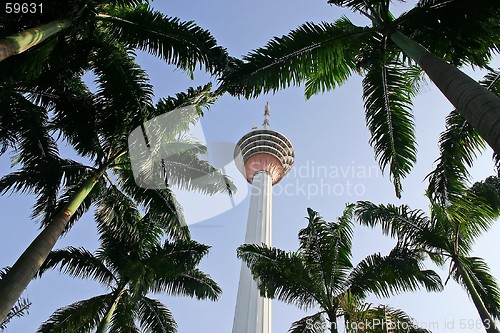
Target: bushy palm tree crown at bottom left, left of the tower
pixel 131 263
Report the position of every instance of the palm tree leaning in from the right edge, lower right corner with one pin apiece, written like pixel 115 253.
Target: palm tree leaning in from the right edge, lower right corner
pixel 447 235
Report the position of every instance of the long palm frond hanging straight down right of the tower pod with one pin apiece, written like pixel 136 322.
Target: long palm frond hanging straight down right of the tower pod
pixel 387 94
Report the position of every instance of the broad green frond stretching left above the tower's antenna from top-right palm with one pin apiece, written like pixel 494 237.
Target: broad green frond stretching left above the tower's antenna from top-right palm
pixel 322 55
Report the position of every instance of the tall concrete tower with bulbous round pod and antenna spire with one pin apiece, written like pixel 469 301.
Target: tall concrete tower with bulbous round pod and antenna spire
pixel 264 157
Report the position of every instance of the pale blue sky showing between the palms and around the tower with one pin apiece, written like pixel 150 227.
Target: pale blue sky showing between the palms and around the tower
pixel 328 133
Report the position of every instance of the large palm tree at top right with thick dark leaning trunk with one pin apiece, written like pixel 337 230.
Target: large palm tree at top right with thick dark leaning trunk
pixel 323 56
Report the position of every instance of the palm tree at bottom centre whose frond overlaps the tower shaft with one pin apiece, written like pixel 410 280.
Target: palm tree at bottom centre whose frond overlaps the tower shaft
pixel 321 274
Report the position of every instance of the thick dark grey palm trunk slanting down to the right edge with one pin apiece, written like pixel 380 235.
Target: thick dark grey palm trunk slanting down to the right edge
pixel 479 106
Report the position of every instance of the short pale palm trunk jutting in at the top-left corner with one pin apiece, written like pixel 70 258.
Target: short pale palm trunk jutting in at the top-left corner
pixel 24 40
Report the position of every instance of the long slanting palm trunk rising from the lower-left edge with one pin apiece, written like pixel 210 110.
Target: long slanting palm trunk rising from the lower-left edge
pixel 25 268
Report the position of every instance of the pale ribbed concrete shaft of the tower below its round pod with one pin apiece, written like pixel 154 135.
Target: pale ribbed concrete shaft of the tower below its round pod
pixel 253 312
